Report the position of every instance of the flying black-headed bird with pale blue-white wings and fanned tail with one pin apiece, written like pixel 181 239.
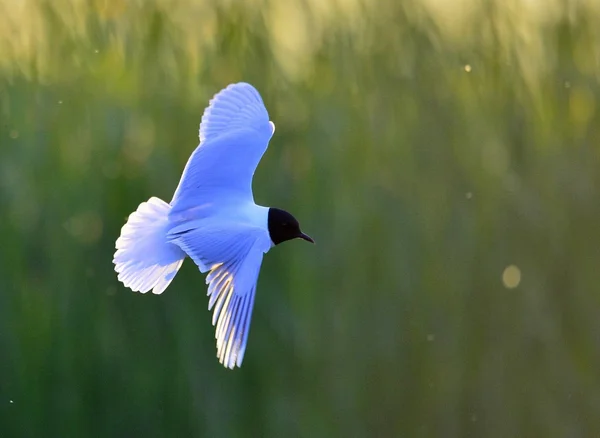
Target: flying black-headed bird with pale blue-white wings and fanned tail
pixel 212 219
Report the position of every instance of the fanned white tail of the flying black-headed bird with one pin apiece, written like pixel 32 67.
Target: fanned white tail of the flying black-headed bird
pixel 144 258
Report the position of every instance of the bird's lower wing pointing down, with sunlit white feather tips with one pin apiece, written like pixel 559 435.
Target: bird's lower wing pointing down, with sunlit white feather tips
pixel 233 255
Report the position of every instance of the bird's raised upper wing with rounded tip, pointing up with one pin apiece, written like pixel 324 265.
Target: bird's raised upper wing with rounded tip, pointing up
pixel 234 134
